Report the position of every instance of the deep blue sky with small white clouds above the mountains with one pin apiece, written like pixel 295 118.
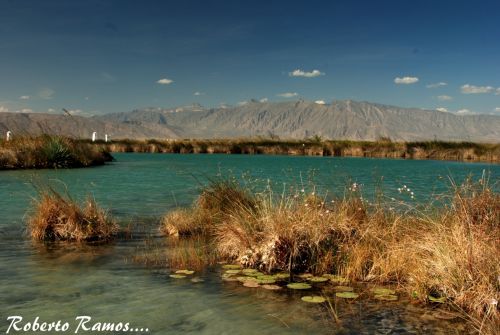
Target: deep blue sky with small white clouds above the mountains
pixel 95 57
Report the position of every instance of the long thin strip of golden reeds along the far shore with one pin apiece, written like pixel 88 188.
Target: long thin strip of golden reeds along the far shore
pixel 431 150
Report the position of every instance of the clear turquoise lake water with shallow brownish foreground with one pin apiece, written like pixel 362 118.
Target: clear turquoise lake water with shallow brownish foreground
pixel 60 282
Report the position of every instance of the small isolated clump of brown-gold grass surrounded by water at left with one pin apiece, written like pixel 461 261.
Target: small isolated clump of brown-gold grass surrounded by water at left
pixel 58 218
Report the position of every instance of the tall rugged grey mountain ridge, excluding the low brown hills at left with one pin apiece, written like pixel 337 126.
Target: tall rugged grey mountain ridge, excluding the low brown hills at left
pixel 340 120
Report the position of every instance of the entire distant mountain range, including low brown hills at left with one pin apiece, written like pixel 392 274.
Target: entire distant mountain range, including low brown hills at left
pixel 340 120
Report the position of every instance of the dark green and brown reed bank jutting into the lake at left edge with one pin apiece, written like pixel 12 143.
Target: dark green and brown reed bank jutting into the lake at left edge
pixel 50 152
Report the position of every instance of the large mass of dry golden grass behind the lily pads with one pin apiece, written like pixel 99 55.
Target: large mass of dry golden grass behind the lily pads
pixel 450 252
